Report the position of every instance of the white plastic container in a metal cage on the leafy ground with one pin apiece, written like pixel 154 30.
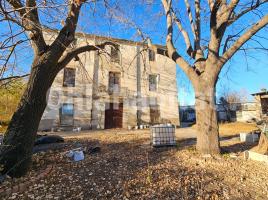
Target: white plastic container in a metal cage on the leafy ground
pixel 163 135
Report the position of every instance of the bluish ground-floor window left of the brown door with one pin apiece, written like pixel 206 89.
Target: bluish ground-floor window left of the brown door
pixel 67 114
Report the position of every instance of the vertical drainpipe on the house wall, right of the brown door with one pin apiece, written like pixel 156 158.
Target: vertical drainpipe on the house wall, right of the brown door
pixel 139 106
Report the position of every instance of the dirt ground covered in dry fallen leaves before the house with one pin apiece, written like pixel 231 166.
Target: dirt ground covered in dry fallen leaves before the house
pixel 127 167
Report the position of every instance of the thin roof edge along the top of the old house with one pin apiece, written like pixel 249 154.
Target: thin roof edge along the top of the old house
pixel 100 37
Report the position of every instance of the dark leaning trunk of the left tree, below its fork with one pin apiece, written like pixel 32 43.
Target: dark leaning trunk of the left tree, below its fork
pixel 21 133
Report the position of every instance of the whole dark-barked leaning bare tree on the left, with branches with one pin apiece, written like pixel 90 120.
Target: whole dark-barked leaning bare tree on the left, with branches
pixel 48 60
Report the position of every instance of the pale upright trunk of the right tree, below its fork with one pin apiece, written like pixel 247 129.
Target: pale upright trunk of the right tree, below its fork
pixel 206 119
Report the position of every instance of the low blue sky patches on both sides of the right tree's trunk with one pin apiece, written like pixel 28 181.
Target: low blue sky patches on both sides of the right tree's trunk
pixel 238 75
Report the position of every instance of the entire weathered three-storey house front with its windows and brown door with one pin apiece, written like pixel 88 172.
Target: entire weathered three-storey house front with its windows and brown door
pixel 121 86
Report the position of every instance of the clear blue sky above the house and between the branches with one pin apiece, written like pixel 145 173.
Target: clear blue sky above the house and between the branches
pixel 247 73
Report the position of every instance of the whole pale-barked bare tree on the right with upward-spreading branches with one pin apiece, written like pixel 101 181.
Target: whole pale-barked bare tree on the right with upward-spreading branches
pixel 203 63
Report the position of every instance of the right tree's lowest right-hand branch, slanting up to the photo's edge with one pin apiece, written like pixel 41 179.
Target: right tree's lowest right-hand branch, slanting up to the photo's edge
pixel 244 38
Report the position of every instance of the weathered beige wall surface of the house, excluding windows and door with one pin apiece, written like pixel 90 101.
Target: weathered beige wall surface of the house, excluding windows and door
pixel 85 91
